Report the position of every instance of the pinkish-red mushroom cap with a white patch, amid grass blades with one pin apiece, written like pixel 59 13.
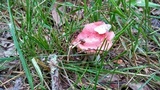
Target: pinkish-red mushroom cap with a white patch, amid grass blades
pixel 94 36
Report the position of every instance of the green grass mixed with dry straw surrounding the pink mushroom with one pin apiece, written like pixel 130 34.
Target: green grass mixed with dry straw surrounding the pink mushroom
pixel 36 35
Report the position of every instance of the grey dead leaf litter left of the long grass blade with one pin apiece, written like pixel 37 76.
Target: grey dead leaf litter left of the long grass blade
pixel 7 68
